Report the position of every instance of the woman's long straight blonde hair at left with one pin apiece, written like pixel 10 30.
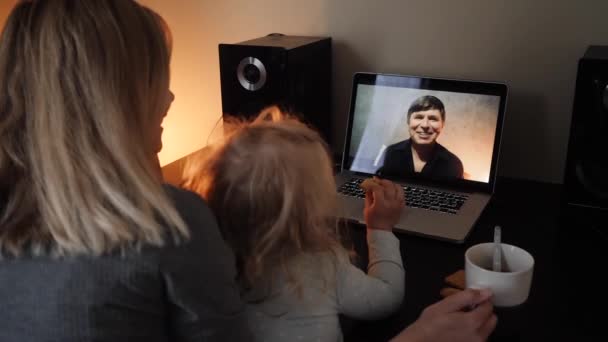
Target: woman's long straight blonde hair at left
pixel 80 83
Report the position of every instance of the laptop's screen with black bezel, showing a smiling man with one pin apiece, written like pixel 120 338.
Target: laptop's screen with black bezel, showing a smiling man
pixel 404 127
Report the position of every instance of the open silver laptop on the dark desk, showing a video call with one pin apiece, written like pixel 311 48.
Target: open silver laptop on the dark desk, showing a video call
pixel 446 160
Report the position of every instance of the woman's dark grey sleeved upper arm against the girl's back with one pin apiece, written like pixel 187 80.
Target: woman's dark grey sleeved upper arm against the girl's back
pixel 200 280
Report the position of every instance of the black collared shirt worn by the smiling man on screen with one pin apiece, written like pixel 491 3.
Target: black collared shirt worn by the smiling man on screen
pixel 399 163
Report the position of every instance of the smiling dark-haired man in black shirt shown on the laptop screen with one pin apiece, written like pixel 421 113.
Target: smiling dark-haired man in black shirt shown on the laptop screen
pixel 421 153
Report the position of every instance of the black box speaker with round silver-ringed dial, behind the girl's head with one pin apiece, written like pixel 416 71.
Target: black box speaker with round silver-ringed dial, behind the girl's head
pixel 292 72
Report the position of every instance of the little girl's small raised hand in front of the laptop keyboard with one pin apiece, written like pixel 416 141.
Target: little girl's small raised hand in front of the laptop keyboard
pixel 384 202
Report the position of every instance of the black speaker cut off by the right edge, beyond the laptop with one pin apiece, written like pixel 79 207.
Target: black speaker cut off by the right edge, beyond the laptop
pixel 586 177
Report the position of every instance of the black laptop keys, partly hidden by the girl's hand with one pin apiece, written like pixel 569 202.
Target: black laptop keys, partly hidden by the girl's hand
pixel 415 197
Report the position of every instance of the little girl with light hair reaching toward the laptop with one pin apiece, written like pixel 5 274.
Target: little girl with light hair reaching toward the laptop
pixel 272 189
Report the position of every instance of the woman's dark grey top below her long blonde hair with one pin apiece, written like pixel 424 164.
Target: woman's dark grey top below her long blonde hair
pixel 175 293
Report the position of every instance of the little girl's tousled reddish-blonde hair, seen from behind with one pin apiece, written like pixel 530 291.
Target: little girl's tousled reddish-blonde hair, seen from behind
pixel 271 186
